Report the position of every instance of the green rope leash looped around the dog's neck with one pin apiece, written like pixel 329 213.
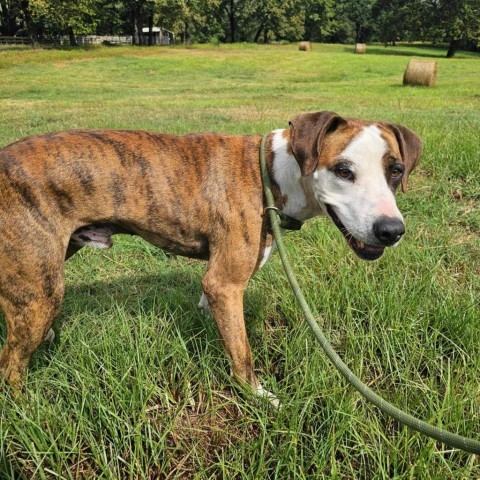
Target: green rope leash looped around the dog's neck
pixel 448 438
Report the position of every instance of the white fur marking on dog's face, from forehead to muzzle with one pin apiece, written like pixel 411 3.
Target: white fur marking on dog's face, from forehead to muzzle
pixel 360 203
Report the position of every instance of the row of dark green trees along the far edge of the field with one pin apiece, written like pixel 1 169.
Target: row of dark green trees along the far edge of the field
pixel 456 22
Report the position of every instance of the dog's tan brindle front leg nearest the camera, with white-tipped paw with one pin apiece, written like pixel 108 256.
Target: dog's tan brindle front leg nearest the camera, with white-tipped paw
pixel 223 286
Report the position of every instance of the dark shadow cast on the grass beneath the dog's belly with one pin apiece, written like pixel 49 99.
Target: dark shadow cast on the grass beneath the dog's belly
pixel 177 291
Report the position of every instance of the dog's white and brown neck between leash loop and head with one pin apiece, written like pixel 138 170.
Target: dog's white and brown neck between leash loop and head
pixel 296 197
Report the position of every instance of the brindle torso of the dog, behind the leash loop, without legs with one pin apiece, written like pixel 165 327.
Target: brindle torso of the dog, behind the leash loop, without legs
pixel 143 181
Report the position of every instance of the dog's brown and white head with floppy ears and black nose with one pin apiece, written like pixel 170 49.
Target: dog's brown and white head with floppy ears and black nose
pixel 353 169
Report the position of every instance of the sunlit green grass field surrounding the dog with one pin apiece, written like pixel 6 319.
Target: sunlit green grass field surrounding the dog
pixel 137 385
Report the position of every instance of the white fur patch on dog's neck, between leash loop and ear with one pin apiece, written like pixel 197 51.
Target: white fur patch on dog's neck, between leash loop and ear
pixel 288 175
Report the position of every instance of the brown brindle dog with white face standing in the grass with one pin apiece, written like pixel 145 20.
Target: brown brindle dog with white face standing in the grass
pixel 195 195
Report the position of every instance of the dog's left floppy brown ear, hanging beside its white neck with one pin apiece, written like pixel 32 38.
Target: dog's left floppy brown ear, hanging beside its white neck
pixel 307 133
